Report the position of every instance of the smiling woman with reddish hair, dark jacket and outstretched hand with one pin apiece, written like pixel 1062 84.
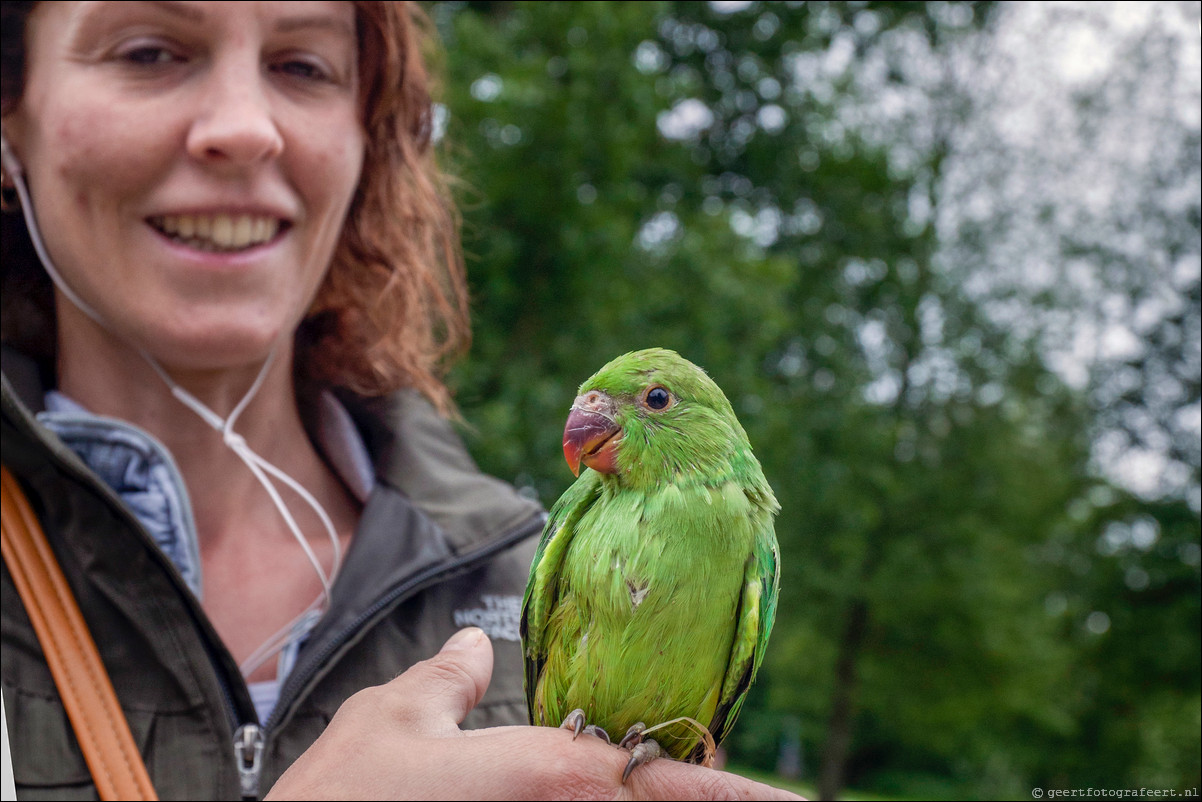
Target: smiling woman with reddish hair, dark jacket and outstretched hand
pixel 228 295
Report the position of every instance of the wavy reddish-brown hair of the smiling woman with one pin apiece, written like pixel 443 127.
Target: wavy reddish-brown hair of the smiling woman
pixel 392 311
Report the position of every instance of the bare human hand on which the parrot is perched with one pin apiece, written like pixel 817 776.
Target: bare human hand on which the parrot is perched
pixel 403 741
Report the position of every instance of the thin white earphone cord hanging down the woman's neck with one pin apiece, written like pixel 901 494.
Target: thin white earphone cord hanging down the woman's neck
pixel 259 467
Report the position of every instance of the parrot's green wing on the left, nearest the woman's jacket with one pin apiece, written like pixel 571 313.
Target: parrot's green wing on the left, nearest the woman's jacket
pixel 543 589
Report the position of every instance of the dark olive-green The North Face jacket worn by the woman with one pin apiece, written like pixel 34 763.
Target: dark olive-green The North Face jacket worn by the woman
pixel 439 546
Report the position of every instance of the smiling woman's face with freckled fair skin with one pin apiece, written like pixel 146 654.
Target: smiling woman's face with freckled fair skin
pixel 192 165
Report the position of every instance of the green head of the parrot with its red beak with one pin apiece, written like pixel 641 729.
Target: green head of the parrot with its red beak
pixel 651 417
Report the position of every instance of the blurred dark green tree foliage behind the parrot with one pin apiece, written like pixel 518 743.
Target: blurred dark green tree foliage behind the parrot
pixel 995 616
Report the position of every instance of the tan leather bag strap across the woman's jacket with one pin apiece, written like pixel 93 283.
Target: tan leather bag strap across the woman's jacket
pixel 84 684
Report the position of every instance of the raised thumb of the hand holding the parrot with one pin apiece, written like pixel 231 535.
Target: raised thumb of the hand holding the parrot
pixel 439 693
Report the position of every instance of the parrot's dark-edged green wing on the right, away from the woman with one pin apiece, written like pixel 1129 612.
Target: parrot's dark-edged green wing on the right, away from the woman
pixel 754 621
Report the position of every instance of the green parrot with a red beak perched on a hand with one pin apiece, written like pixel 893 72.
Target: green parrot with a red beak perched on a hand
pixel 654 587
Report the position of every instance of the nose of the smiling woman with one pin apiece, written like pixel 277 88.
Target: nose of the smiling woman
pixel 235 126
